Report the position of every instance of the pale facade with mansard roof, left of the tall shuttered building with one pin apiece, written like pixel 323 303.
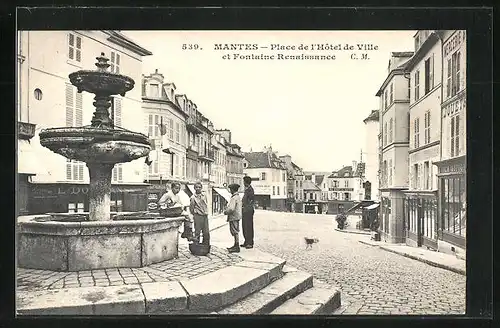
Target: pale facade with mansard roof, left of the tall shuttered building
pixel 394 120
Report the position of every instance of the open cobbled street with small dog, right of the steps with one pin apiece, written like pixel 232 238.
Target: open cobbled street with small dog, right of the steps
pixel 372 281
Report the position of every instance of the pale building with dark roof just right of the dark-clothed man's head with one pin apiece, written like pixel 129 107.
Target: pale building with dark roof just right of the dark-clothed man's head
pixel 269 178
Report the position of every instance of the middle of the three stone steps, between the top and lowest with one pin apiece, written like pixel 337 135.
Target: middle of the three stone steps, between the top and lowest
pixel 270 297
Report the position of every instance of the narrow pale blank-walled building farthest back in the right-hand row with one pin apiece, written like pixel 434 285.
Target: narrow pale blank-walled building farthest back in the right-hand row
pixel 371 155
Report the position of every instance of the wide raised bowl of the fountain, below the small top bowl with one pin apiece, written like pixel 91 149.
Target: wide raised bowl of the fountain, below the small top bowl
pixel 91 144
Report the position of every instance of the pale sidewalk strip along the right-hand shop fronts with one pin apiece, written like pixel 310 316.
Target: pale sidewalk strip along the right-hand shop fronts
pixel 437 259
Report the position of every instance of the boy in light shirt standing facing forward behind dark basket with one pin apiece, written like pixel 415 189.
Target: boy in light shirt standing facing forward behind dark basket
pixel 199 210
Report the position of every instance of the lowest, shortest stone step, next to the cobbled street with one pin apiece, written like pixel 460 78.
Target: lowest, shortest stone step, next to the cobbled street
pixel 320 299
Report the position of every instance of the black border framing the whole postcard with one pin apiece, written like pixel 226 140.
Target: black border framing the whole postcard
pixel 477 22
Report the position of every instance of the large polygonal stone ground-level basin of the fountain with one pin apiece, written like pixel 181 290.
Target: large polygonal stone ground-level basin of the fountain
pixel 70 245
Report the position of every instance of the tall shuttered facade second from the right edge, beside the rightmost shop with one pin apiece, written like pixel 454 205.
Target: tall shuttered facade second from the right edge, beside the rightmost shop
pixel 424 69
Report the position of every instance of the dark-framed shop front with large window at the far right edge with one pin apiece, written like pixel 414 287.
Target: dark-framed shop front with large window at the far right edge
pixel 452 212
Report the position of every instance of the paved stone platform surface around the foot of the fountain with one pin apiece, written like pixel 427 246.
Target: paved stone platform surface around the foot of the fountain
pixel 186 266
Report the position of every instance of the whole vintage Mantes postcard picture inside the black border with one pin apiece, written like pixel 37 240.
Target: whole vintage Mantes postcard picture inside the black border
pixel 241 172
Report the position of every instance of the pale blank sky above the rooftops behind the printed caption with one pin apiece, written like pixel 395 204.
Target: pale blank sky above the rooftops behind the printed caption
pixel 312 110
